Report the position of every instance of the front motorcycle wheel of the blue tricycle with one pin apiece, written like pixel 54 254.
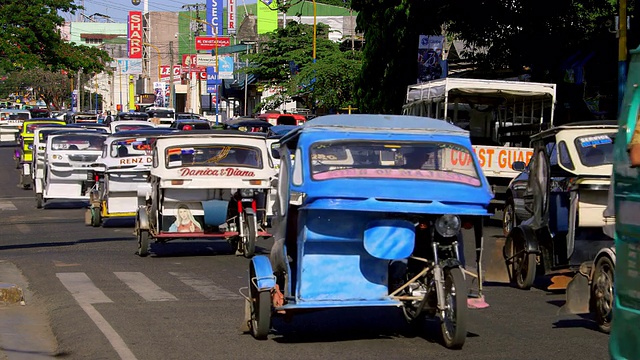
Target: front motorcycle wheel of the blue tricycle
pixel 454 321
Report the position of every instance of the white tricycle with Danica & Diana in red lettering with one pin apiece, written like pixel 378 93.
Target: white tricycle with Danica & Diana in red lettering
pixel 207 185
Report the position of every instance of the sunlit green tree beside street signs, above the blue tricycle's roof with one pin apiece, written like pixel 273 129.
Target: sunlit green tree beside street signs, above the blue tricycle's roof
pixel 285 61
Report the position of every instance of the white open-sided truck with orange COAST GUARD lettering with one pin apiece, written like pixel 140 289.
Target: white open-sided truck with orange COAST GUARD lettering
pixel 499 114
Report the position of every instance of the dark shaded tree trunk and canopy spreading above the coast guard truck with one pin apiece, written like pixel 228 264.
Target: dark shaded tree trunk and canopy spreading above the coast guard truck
pixel 536 35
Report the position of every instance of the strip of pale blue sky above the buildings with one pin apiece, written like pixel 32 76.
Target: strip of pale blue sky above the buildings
pixel 118 9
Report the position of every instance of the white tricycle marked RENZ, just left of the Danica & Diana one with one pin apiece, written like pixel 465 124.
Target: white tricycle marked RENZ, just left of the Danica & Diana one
pixel 121 174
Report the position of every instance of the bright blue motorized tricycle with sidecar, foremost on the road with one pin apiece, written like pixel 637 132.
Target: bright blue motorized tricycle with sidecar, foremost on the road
pixel 370 213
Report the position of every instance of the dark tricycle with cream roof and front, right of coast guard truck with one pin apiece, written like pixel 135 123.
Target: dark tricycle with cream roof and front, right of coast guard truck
pixel 566 194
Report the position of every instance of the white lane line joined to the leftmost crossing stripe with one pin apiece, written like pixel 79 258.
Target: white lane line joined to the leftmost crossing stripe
pixel 86 293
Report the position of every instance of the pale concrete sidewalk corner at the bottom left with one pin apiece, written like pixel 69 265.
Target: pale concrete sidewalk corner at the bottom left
pixel 24 327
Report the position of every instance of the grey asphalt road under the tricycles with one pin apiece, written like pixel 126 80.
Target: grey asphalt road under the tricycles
pixel 104 302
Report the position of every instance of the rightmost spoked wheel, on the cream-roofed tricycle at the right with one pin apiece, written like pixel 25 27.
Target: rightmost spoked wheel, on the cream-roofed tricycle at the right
pixel 602 293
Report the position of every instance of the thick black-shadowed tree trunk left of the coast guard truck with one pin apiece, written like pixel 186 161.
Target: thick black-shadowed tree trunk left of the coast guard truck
pixel 391 29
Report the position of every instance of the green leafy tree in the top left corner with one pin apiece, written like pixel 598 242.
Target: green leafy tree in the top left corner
pixel 30 38
